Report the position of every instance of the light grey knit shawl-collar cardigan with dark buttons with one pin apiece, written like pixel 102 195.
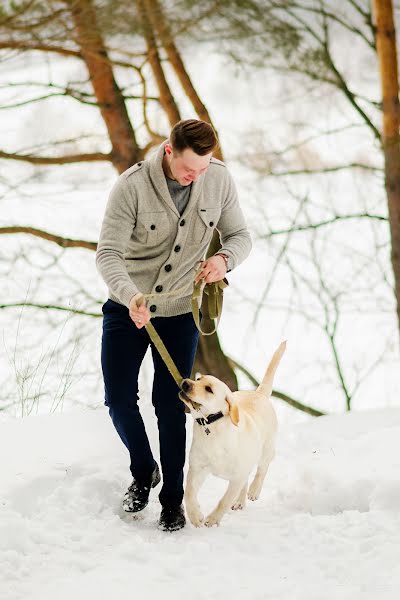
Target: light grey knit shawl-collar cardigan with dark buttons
pixel 146 245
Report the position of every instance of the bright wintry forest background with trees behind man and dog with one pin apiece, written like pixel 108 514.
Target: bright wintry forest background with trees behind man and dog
pixel 294 89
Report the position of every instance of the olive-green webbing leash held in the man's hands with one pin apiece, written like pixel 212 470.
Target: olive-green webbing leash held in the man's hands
pixel 212 309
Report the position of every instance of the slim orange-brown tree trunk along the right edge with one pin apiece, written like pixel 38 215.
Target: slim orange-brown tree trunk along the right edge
pixel 387 55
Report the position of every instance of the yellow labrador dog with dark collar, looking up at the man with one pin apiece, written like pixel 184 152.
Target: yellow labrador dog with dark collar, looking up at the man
pixel 232 433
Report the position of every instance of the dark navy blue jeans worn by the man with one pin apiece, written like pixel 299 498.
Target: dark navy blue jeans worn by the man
pixel 122 352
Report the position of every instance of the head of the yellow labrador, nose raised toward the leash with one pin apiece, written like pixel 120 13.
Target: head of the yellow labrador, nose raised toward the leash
pixel 208 395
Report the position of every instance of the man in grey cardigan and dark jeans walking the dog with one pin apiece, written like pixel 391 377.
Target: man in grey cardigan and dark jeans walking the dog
pixel 157 226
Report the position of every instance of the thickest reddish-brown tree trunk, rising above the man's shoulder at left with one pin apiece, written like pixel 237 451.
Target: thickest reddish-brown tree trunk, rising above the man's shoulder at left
pixel 125 150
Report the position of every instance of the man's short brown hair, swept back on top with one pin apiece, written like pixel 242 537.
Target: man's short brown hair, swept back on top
pixel 199 136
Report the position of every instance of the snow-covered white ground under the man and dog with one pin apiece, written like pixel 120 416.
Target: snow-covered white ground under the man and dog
pixel 326 526
